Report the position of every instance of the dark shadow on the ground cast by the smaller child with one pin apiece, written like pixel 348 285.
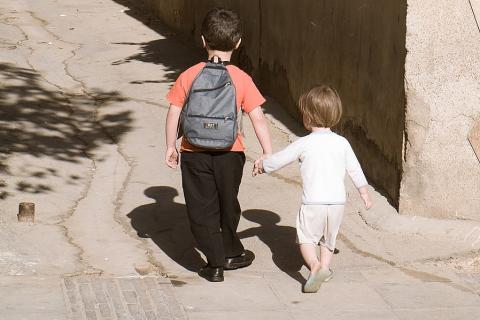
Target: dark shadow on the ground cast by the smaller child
pixel 280 240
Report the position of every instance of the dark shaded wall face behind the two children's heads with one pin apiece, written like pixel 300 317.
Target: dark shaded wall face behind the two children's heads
pixel 357 46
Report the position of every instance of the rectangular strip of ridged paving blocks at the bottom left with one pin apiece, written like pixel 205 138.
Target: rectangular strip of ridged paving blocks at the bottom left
pixel 101 298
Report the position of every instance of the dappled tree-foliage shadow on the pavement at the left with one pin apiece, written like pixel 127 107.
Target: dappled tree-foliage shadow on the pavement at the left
pixel 50 123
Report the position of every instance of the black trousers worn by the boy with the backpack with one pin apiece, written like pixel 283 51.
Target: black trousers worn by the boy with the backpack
pixel 211 181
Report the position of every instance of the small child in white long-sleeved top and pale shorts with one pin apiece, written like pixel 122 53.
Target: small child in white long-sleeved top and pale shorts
pixel 324 157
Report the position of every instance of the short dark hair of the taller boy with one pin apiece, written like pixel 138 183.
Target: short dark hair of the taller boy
pixel 221 29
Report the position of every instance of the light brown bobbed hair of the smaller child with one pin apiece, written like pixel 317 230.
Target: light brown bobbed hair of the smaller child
pixel 320 107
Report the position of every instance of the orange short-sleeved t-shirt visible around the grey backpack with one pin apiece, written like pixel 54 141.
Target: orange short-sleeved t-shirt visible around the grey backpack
pixel 247 95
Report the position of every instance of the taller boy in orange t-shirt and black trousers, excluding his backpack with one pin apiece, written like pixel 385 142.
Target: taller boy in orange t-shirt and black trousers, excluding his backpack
pixel 211 179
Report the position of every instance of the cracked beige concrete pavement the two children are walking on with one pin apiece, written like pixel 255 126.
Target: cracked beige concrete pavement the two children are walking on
pixel 82 108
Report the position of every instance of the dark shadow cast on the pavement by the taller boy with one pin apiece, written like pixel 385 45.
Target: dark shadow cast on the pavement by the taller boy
pixel 166 223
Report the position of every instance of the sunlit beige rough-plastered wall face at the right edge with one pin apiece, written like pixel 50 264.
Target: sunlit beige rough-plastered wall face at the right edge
pixel 442 81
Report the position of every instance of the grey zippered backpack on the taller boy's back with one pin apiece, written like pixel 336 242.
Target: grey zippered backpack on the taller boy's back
pixel 209 115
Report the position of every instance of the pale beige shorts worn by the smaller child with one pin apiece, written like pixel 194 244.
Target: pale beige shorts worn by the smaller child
pixel 319 224
